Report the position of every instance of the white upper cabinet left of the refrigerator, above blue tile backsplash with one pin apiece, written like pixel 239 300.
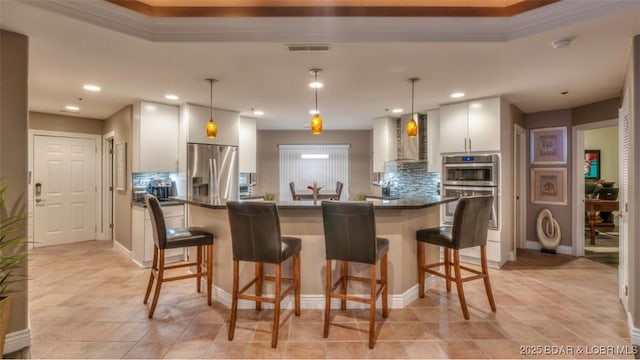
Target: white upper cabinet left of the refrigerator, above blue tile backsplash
pixel 155 137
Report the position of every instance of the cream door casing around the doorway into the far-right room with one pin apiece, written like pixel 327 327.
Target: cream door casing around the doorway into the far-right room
pixel 577 169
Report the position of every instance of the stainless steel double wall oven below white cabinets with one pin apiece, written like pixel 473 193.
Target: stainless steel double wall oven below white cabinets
pixel 471 175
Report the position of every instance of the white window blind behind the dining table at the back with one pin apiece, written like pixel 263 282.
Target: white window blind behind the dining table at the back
pixel 306 164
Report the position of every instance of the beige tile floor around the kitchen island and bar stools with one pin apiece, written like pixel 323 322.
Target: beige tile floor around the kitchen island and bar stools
pixel 86 302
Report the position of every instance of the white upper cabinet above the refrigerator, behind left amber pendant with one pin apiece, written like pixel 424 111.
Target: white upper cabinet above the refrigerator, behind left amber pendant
pixel 195 119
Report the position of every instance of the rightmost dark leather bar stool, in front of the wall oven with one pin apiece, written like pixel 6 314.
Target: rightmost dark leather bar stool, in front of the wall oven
pixel 470 227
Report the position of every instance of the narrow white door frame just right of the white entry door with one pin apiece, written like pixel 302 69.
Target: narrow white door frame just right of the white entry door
pixel 108 196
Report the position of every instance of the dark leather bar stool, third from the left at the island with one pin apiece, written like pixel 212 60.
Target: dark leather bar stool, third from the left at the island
pixel 350 236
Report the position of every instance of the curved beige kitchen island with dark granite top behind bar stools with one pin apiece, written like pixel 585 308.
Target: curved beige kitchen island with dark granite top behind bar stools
pixel 396 220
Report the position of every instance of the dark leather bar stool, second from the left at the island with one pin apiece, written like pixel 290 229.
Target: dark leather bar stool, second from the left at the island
pixel 256 237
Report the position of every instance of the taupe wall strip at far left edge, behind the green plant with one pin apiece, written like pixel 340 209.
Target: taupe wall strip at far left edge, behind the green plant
pixel 14 60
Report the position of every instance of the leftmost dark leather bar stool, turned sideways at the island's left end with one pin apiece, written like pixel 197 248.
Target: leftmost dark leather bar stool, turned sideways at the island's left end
pixel 173 238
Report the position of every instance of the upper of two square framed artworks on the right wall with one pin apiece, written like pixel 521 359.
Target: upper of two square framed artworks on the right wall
pixel 549 145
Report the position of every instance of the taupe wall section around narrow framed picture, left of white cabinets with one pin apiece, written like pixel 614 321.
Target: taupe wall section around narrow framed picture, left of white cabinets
pixel 121 123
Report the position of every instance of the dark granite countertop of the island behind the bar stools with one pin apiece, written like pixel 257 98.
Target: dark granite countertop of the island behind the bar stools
pixel 412 203
